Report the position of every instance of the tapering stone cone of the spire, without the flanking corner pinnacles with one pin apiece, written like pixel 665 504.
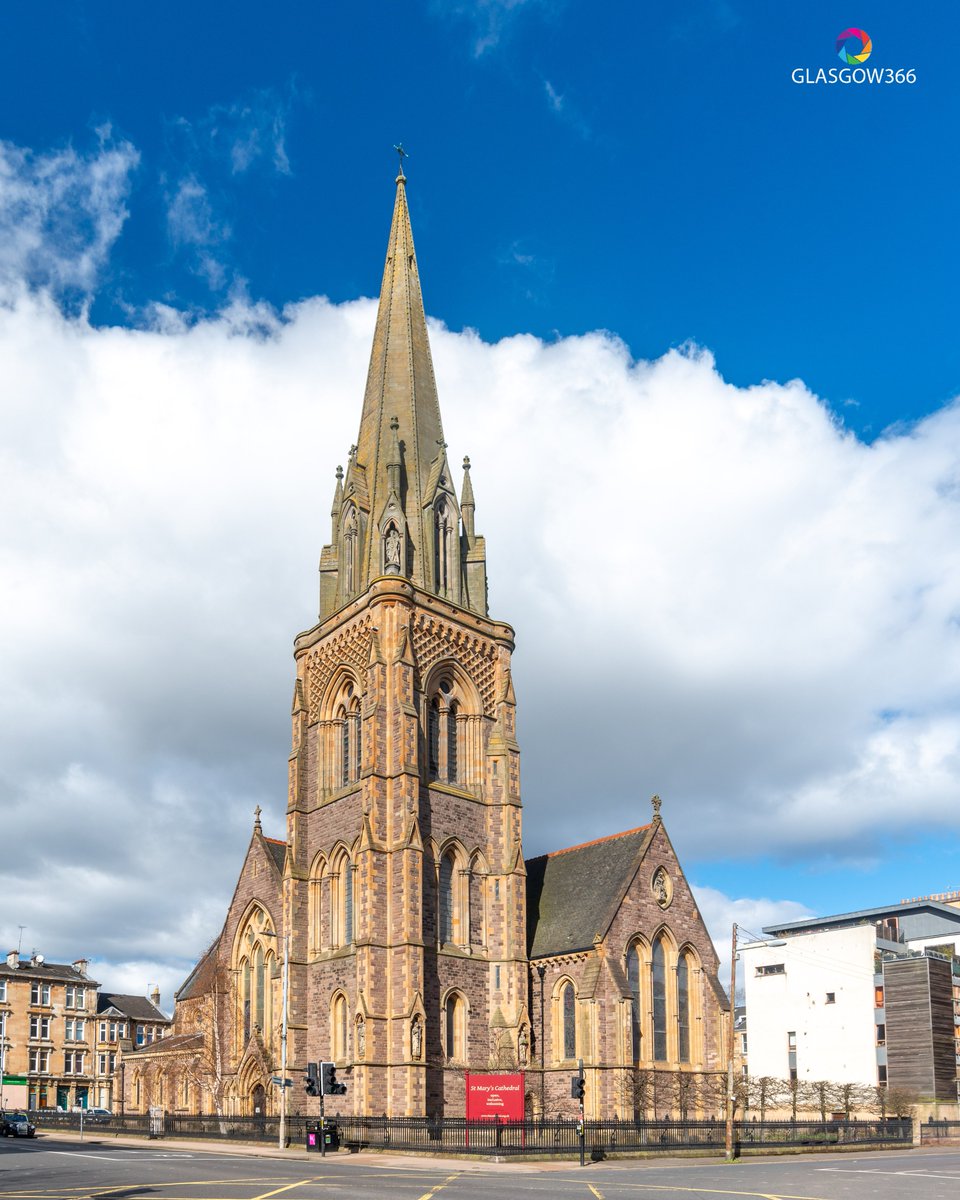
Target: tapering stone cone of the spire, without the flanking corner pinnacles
pixel 400 385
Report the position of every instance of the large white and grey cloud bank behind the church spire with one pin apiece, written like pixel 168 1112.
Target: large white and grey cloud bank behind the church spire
pixel 719 595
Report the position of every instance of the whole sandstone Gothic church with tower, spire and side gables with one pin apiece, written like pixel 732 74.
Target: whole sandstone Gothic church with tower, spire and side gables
pixel 421 943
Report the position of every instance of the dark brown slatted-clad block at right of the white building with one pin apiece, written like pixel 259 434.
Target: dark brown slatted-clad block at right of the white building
pixel 921 1047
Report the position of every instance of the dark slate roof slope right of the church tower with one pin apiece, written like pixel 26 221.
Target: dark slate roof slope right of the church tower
pixel 572 893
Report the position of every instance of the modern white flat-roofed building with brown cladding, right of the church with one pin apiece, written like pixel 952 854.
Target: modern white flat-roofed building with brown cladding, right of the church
pixel 866 998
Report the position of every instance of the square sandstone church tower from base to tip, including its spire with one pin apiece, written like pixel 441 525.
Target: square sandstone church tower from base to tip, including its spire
pixel 406 887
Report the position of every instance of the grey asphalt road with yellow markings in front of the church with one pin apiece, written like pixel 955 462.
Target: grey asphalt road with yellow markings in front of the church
pixel 53 1169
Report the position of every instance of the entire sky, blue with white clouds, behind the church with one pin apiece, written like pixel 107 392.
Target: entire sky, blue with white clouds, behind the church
pixel 181 183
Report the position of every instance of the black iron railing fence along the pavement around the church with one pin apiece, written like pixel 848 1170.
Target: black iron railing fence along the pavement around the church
pixel 454 1136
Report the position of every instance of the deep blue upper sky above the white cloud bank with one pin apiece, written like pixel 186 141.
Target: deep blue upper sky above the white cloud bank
pixel 647 169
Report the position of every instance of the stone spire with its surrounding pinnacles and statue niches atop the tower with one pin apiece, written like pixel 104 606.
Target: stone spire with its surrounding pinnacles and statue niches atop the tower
pixel 399 513
